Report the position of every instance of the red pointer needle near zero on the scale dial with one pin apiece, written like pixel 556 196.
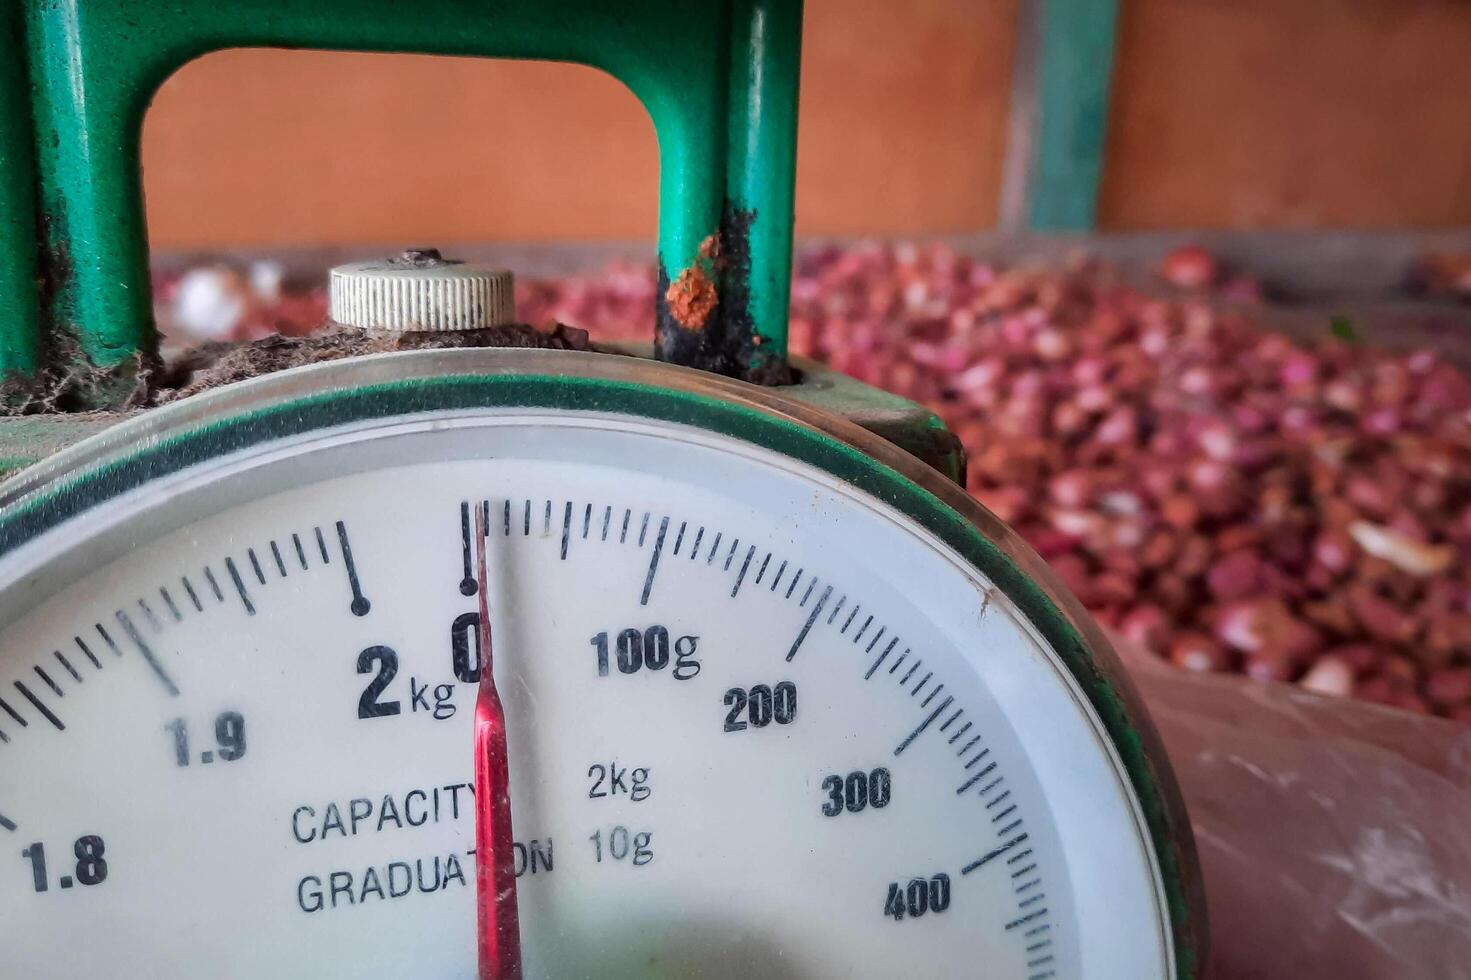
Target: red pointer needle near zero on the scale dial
pixel 495 859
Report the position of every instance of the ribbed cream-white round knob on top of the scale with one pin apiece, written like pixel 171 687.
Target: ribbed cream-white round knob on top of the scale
pixel 420 292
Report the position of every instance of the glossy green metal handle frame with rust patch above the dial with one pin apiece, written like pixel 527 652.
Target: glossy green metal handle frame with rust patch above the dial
pixel 719 79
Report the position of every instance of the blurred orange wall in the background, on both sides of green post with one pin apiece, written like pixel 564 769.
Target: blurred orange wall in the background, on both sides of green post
pixel 1304 114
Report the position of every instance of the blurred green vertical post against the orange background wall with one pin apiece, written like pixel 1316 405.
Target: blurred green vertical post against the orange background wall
pixel 1075 76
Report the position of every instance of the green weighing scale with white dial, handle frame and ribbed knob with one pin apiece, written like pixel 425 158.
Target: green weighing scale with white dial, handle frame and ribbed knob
pixel 527 663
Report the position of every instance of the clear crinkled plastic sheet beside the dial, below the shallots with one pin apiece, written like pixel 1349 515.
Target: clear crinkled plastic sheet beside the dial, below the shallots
pixel 1335 837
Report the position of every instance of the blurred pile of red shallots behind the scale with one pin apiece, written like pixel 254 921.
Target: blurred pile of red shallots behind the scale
pixel 1226 498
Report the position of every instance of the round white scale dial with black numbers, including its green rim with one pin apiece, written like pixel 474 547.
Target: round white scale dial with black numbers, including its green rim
pixel 761 722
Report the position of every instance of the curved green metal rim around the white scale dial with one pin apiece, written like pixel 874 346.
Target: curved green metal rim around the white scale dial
pixel 858 458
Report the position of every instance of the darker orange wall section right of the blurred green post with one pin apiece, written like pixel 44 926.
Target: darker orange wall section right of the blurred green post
pixel 1291 114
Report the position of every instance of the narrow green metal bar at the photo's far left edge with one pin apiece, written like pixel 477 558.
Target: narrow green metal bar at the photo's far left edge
pixel 20 292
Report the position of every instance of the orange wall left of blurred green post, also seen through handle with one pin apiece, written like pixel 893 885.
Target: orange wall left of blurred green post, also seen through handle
pixel 261 146
